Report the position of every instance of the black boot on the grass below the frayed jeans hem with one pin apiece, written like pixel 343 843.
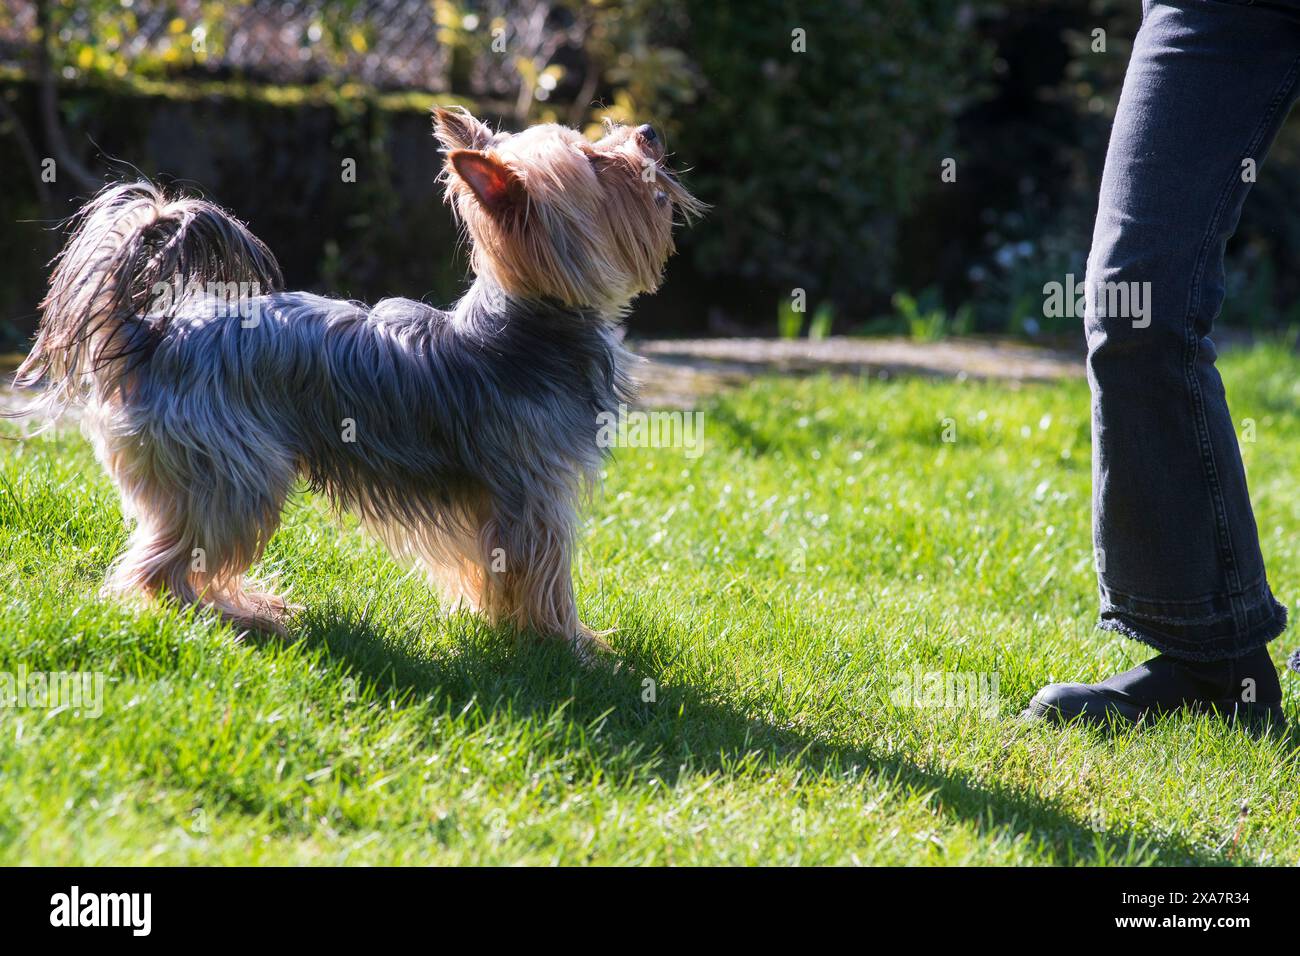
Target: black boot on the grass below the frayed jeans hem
pixel 1245 690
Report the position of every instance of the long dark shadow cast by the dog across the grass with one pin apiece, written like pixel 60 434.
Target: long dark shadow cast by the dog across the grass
pixel 688 730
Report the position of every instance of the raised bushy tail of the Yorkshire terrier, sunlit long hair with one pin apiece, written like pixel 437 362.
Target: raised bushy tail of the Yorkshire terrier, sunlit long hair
pixel 133 259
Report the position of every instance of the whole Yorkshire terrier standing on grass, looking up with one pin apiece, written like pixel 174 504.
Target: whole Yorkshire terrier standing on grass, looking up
pixel 463 439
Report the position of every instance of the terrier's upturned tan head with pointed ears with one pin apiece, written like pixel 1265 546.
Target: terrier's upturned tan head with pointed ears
pixel 584 224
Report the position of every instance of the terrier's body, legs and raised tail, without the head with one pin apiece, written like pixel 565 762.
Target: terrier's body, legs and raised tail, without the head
pixel 475 429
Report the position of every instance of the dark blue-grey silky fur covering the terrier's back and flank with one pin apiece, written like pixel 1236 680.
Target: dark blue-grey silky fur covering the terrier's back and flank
pixel 493 393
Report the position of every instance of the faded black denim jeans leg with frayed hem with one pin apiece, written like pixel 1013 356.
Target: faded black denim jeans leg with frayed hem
pixel 1178 552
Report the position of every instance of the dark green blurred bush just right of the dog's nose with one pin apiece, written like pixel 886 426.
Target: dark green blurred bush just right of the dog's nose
pixel 811 159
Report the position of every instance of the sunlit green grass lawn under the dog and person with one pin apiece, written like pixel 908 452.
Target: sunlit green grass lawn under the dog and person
pixel 775 590
